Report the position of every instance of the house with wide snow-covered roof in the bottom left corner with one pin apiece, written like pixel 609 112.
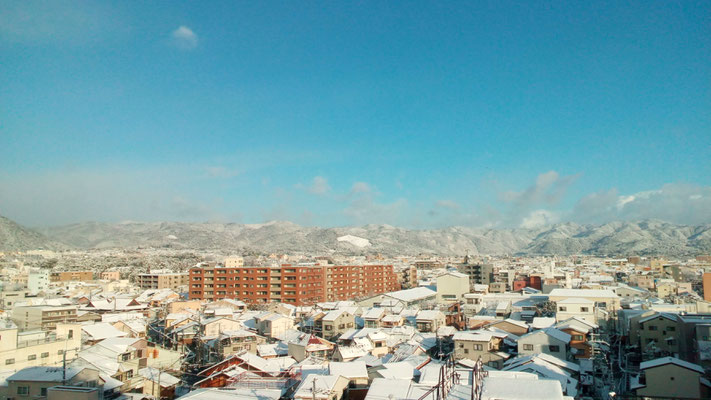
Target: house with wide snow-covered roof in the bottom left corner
pixel 34 382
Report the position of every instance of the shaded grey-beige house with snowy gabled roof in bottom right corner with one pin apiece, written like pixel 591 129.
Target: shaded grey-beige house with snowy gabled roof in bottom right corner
pixel 670 377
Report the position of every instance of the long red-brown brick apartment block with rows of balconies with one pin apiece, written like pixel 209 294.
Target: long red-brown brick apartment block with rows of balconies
pixel 293 284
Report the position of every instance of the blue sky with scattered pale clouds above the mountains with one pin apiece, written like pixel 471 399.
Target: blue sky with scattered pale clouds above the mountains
pixel 415 114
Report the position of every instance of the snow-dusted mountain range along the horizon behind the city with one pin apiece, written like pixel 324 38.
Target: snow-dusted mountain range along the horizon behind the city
pixel 642 238
